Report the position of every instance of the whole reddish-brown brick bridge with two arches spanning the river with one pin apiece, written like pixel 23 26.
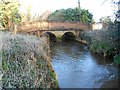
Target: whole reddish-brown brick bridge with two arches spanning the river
pixel 54 27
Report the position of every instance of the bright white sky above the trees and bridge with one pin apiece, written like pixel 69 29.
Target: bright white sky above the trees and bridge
pixel 94 6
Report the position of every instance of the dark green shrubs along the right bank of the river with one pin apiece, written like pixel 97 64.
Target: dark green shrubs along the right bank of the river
pixel 104 42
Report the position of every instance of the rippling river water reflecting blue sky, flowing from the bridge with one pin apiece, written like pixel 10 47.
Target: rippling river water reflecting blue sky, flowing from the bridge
pixel 76 67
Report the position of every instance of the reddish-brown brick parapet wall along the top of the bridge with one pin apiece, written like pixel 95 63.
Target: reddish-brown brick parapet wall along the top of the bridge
pixel 45 25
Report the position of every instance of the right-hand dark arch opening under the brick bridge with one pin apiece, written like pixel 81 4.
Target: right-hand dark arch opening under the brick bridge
pixel 68 36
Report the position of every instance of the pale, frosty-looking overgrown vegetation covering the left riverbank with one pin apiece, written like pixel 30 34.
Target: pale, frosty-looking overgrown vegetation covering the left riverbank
pixel 25 62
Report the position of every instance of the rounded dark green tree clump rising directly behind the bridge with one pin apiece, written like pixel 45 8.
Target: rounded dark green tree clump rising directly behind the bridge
pixel 70 14
